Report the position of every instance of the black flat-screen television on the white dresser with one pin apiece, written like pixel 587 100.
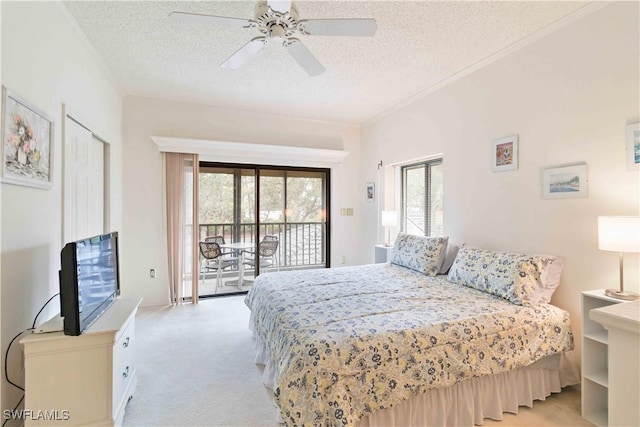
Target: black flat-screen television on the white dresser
pixel 89 280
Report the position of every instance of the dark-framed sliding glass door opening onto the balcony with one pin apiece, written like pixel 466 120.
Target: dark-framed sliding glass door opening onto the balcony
pixel 250 204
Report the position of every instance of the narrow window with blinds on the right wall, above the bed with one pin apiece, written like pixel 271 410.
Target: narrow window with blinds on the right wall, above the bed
pixel 422 197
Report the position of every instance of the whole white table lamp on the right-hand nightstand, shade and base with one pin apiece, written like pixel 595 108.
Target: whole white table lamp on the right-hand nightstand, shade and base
pixel 619 234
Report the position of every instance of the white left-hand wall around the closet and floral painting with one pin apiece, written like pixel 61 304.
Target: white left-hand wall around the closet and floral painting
pixel 46 62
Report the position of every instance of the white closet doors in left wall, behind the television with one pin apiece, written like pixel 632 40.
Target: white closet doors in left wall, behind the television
pixel 83 183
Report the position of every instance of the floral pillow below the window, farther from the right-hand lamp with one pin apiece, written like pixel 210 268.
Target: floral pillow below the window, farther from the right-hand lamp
pixel 420 253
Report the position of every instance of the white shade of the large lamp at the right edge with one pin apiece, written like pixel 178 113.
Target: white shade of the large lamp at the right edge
pixel 619 233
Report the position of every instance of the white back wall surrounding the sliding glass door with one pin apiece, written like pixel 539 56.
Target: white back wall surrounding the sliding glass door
pixel 144 227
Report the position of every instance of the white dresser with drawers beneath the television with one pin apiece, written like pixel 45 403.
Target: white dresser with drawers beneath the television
pixel 82 380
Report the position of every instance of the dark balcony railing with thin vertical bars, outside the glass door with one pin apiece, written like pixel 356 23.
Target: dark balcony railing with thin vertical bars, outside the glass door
pixel 302 244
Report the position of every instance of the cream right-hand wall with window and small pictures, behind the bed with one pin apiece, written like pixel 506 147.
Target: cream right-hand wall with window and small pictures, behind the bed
pixel 568 96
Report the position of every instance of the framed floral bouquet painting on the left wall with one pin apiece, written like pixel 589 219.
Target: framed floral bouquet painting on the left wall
pixel 27 136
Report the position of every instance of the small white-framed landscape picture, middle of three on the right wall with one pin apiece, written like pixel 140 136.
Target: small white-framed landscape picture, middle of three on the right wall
pixel 565 182
